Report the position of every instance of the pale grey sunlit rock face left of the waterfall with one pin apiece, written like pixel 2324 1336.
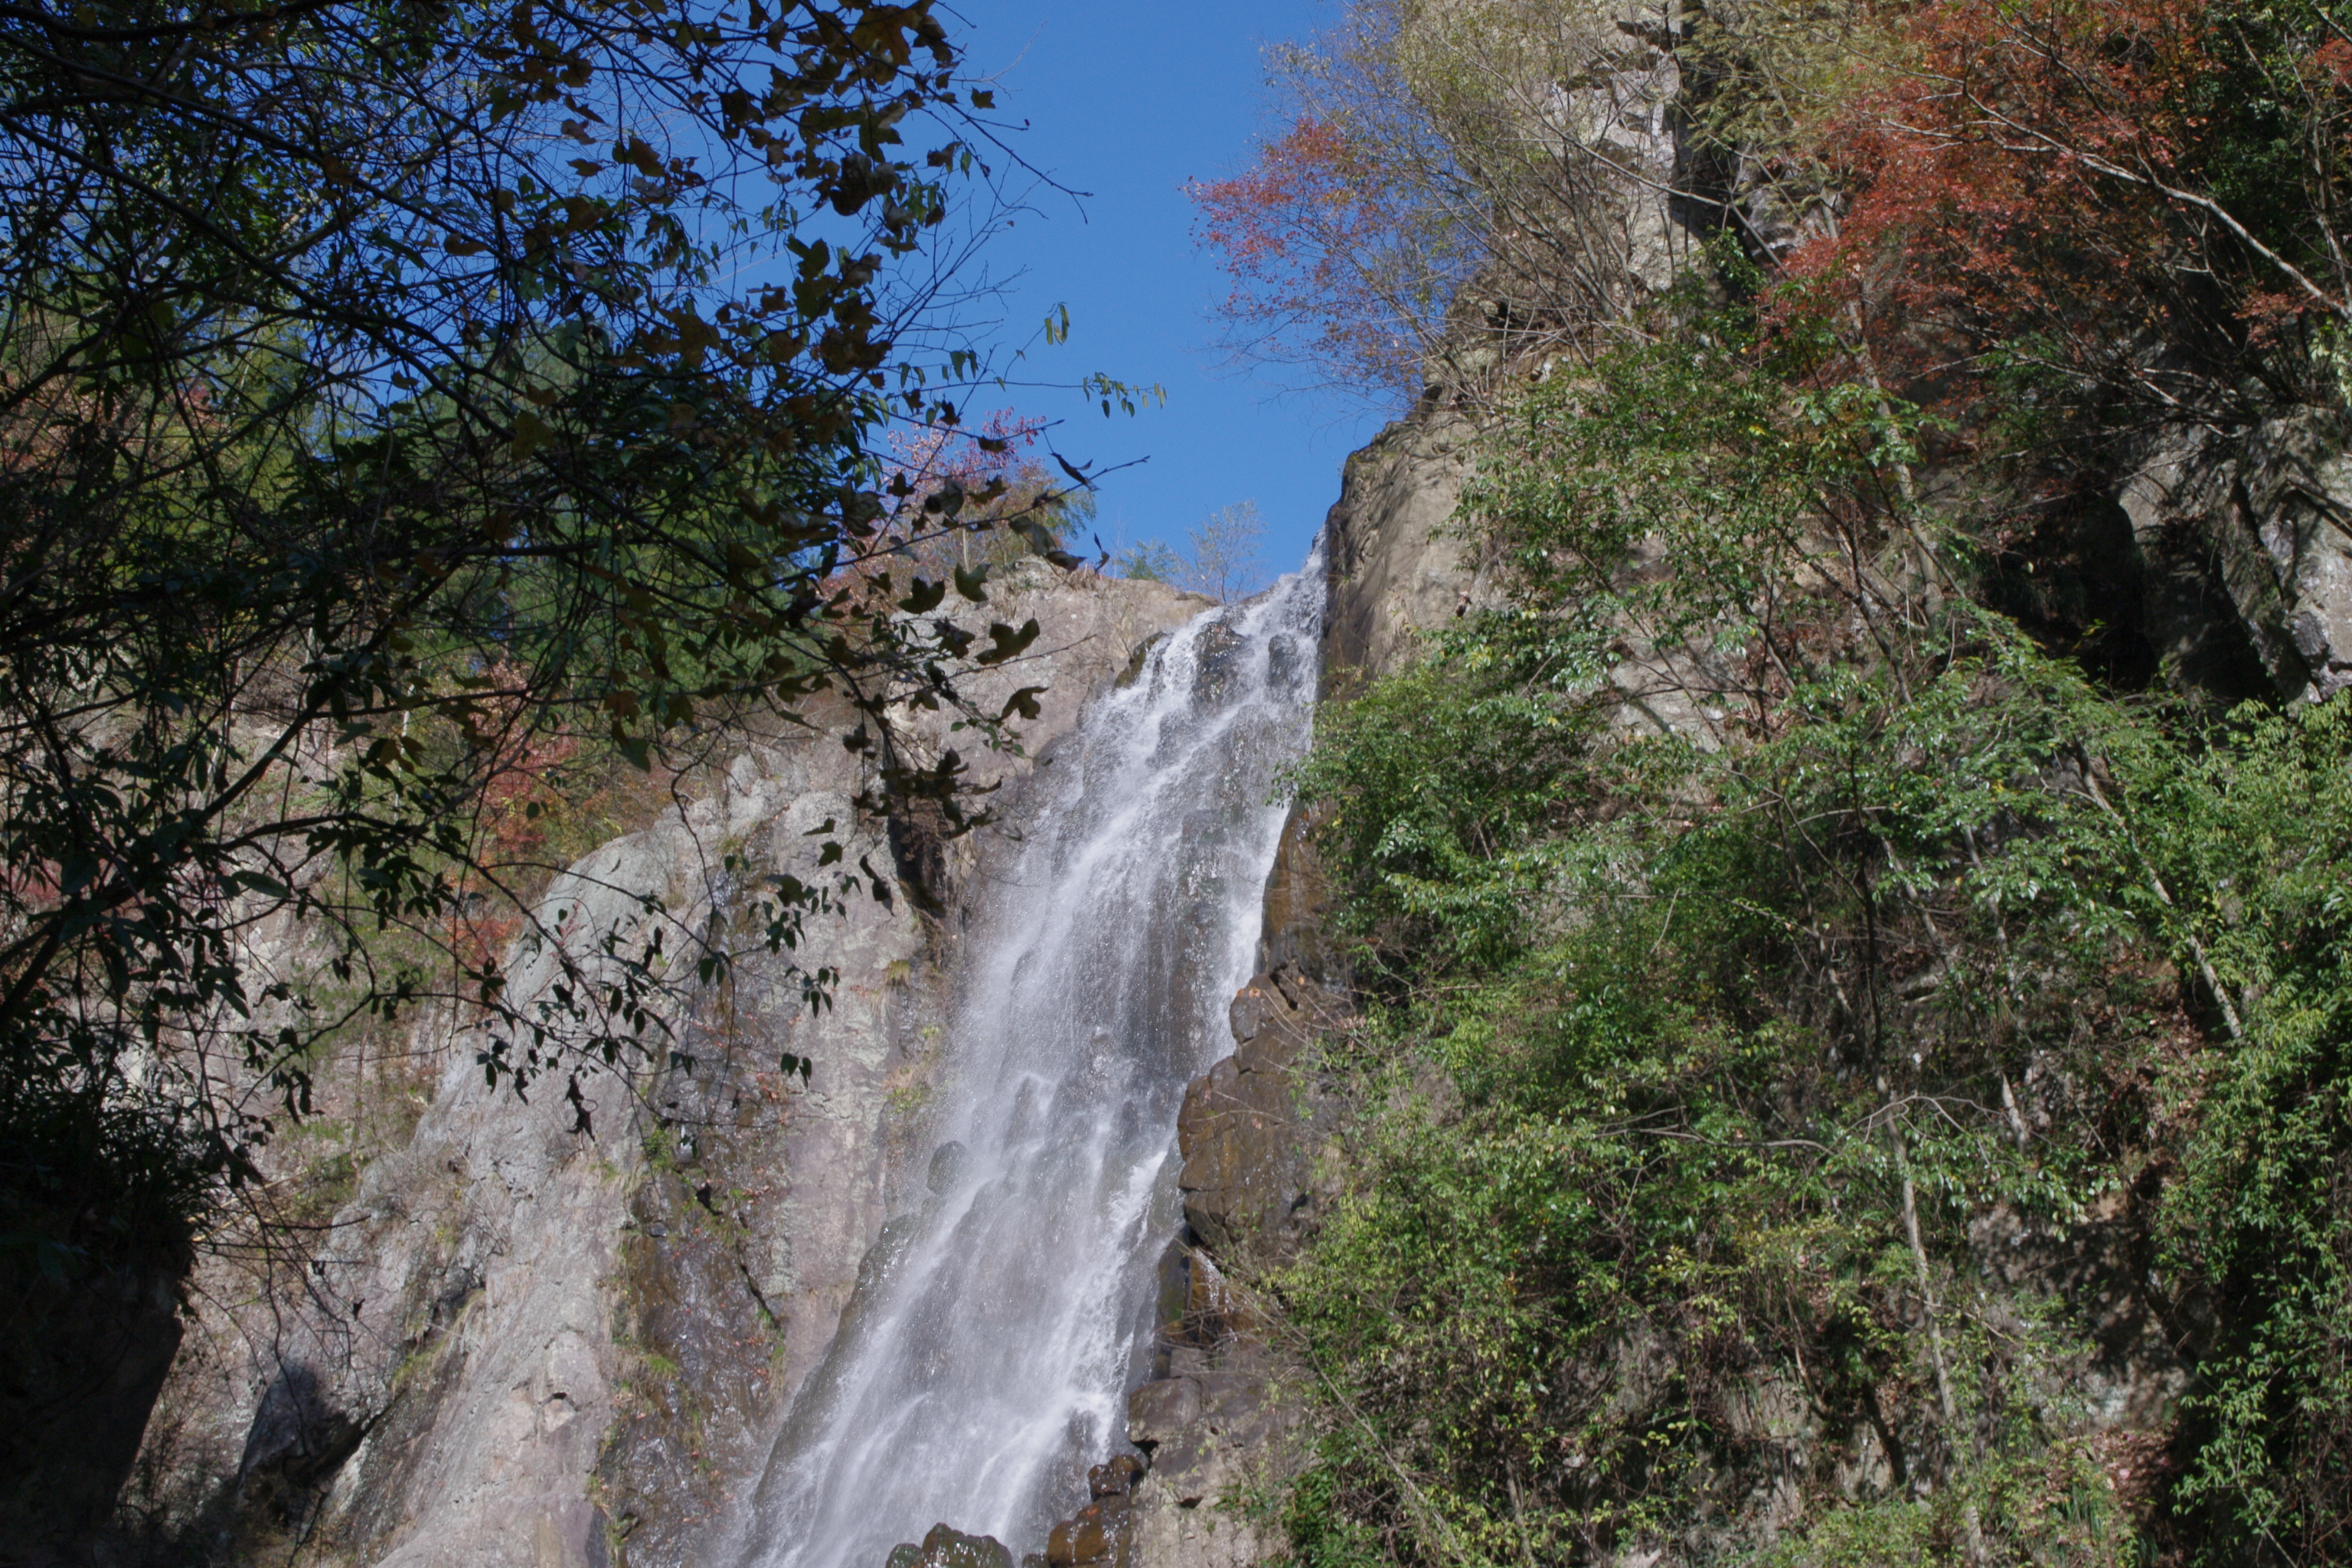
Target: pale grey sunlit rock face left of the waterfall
pixel 554 1334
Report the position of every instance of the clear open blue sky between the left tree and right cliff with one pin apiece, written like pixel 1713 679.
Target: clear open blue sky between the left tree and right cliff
pixel 1128 102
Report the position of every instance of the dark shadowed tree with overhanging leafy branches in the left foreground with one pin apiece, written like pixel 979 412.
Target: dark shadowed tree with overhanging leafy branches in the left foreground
pixel 392 396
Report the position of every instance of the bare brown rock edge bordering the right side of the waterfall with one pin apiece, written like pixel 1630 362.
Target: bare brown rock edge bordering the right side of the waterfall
pixel 1220 1421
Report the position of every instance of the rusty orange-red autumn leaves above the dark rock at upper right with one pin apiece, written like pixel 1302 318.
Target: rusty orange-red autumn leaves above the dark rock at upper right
pixel 2083 175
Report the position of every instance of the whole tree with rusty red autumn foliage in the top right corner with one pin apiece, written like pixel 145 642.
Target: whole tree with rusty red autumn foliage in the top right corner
pixel 2125 213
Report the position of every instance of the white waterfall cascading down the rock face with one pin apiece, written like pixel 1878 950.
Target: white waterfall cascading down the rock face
pixel 998 1329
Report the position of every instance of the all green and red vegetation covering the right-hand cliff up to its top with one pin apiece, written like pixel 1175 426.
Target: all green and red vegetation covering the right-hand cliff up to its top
pixel 1855 1076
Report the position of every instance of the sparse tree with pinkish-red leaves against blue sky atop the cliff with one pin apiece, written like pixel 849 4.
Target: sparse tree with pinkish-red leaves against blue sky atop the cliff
pixel 1511 145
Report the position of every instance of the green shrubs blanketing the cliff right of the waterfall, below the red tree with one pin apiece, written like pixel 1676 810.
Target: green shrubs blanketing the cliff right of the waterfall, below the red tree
pixel 1709 1066
